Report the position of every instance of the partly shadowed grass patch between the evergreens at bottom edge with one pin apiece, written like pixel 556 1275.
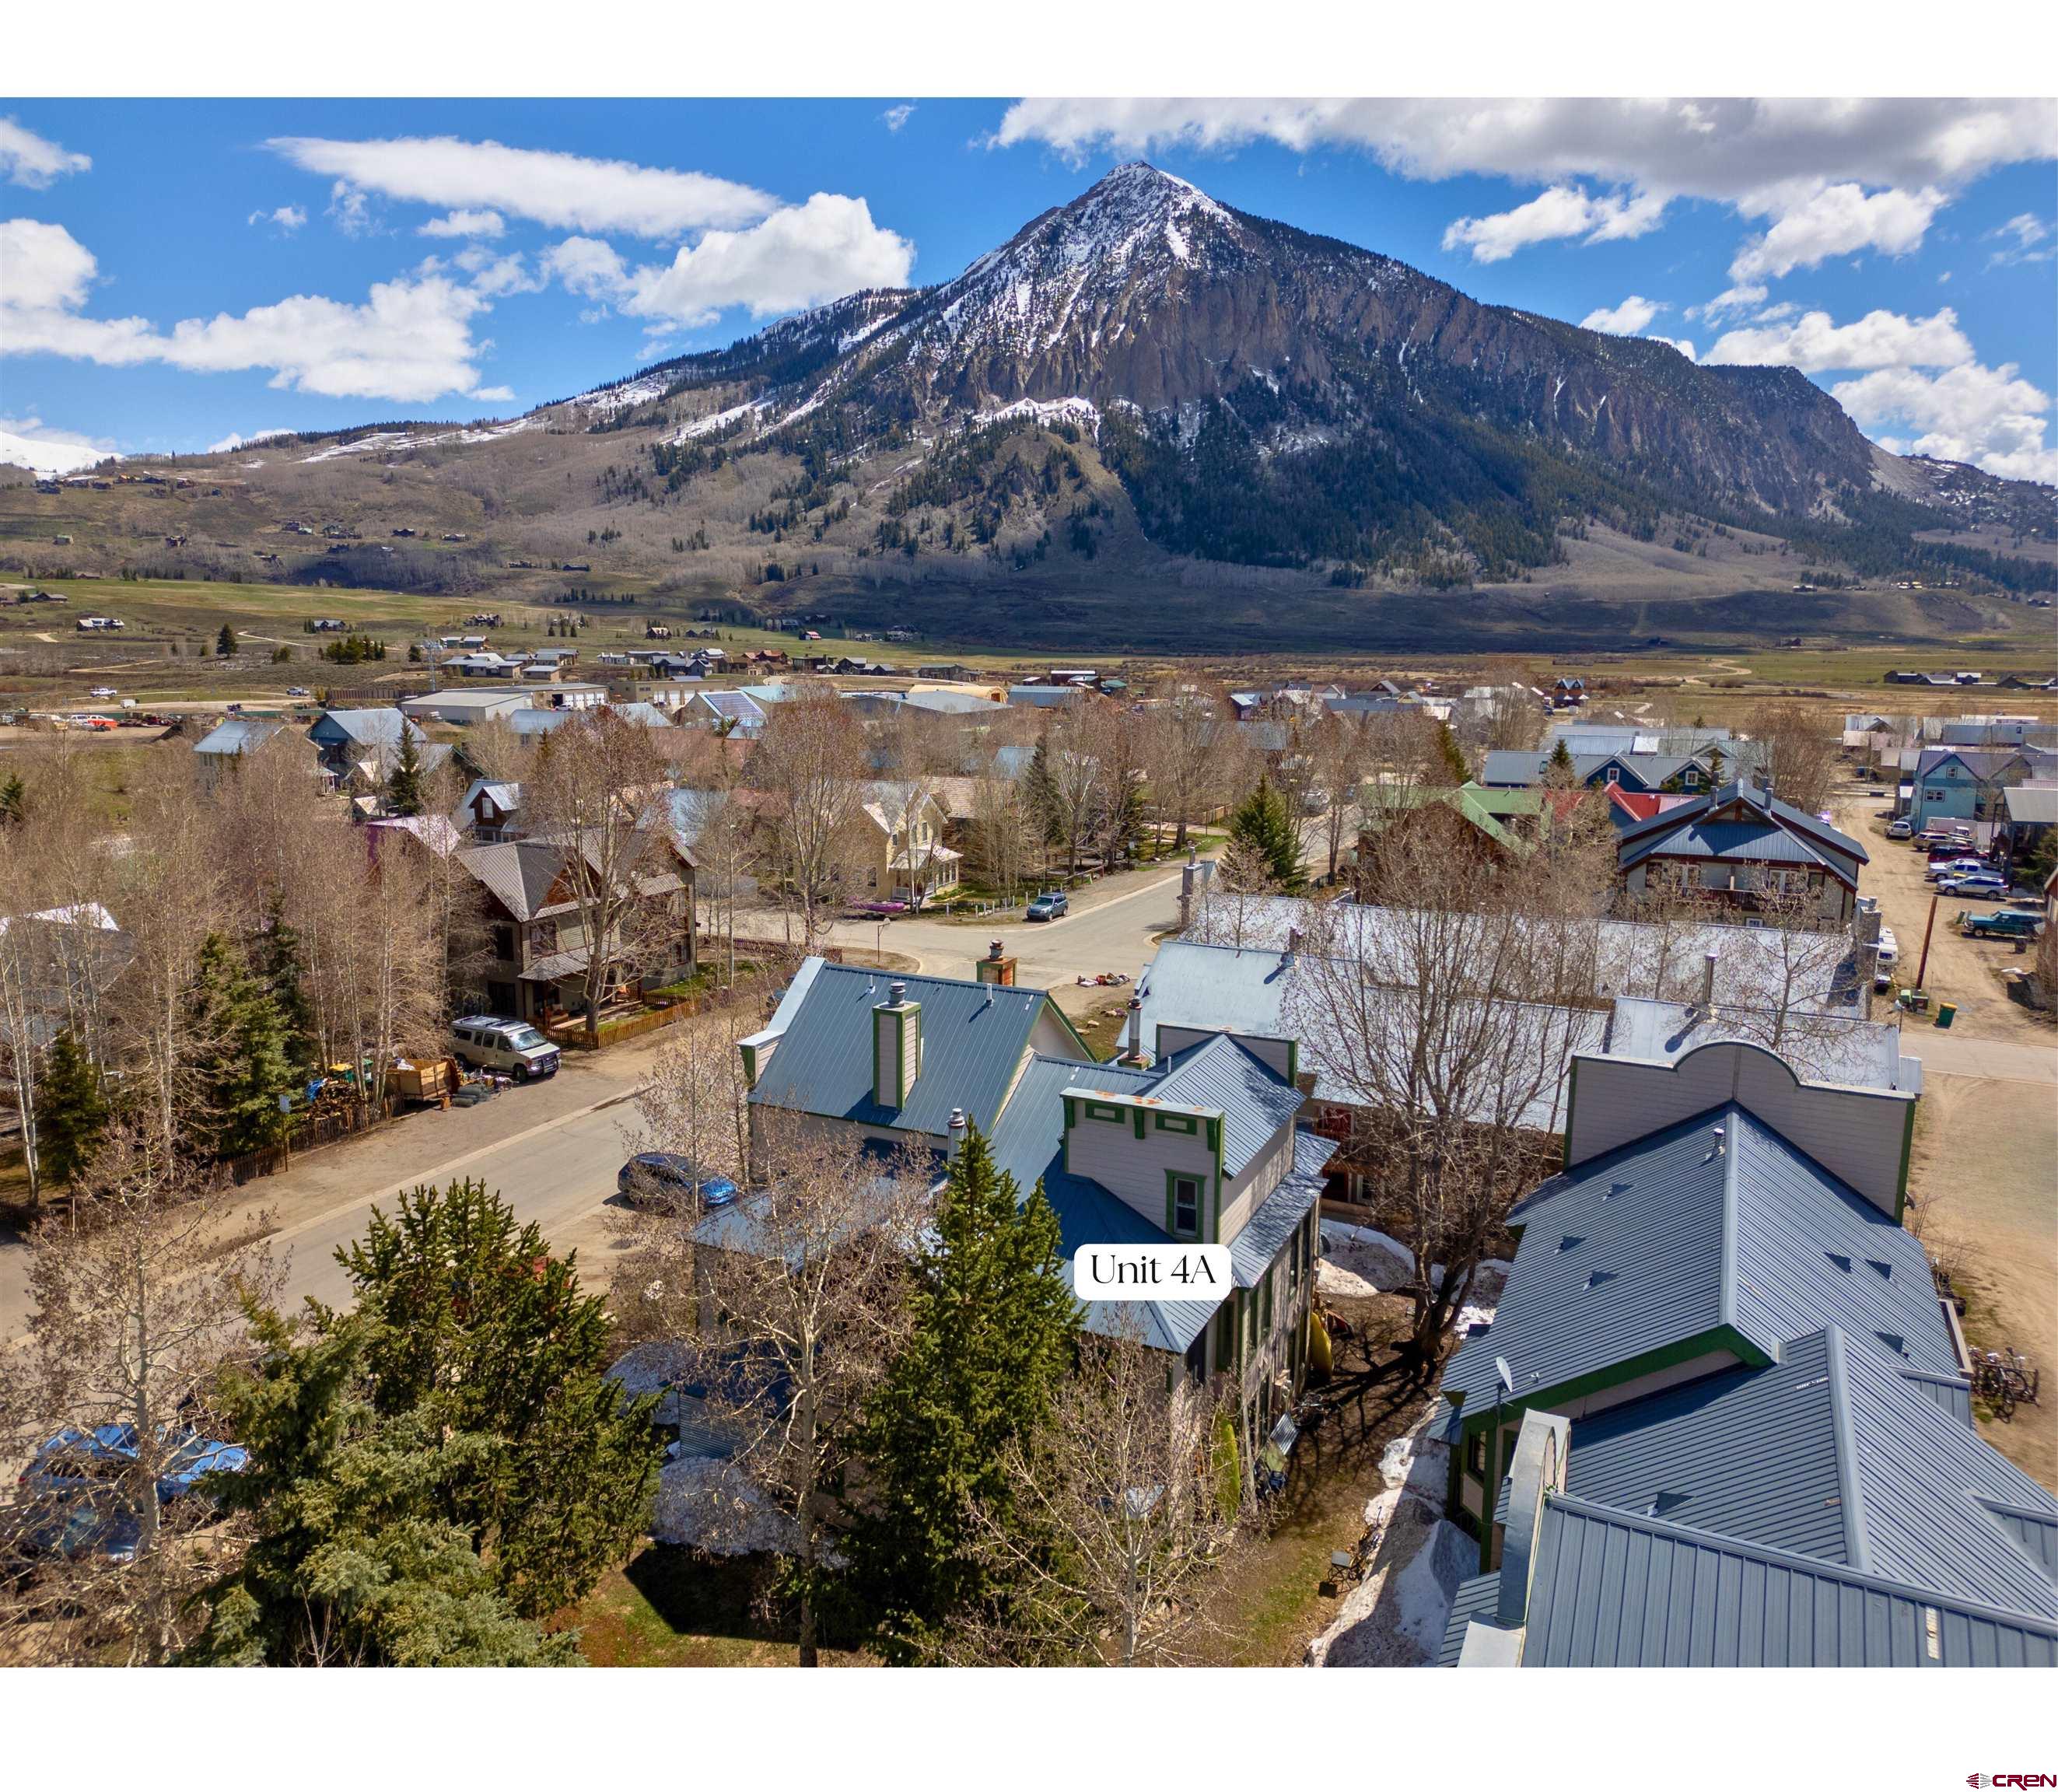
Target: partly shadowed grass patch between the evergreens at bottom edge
pixel 676 1610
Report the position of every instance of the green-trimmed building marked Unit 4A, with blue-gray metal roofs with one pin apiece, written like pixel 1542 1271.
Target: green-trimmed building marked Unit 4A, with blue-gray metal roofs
pixel 1205 1147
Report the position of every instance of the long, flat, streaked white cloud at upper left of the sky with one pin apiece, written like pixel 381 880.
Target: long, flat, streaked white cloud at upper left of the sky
pixel 548 186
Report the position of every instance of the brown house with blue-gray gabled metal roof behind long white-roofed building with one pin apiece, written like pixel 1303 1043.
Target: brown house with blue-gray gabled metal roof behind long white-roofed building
pixel 1740 849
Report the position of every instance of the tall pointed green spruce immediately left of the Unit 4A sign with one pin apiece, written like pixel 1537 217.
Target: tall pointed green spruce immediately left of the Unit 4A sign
pixel 993 1334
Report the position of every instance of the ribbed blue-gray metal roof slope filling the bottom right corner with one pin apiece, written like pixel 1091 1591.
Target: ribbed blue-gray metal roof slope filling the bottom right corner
pixel 1612 1589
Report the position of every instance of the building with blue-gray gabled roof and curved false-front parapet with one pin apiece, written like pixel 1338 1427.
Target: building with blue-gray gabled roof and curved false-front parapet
pixel 1711 1213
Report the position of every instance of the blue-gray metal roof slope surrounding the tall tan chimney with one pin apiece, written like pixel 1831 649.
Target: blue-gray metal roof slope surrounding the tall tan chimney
pixel 974 1038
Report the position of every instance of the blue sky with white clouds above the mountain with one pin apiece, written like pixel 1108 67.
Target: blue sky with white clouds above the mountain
pixel 182 273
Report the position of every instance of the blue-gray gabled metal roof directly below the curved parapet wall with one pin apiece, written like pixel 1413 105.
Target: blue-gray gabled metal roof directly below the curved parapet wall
pixel 1668 1238
